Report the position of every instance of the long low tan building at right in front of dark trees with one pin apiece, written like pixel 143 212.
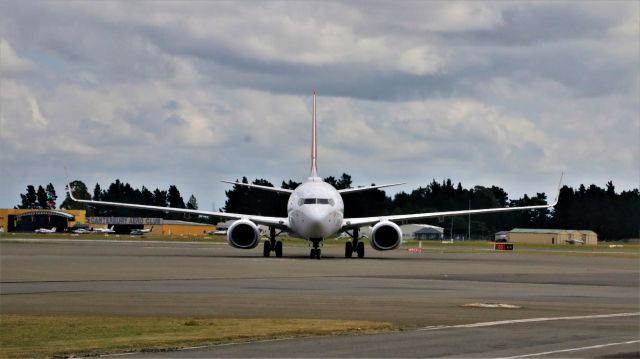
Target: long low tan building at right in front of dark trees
pixel 549 236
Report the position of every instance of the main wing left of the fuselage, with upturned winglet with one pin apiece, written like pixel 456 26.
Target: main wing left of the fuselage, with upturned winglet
pixel 278 222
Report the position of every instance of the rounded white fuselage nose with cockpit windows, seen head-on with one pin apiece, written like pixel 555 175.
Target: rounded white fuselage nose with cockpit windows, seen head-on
pixel 315 209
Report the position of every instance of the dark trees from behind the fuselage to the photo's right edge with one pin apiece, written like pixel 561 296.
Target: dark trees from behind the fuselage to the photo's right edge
pixel 610 214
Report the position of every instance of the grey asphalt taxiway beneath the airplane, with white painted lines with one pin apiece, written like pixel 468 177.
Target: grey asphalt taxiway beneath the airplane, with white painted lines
pixel 424 293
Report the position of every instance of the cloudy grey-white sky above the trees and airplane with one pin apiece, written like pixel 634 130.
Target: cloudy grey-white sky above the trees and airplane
pixel 190 93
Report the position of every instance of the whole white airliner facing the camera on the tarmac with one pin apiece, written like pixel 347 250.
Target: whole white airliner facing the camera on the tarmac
pixel 315 212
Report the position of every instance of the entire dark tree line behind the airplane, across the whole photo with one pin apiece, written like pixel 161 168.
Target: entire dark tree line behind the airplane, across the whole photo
pixel 611 214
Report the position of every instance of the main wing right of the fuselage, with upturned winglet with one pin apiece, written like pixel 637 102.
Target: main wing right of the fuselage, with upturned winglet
pixel 349 223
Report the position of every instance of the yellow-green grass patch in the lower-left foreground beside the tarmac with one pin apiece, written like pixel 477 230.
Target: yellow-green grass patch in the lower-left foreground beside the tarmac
pixel 66 335
